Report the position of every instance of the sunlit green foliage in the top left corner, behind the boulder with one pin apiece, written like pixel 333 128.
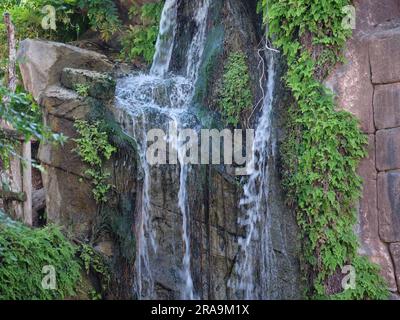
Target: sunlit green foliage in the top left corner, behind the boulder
pixel 73 18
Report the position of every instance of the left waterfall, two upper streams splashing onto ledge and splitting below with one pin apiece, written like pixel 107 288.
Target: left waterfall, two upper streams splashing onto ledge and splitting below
pixel 151 101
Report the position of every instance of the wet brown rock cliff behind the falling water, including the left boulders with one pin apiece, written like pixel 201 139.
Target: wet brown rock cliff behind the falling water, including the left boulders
pixel 212 192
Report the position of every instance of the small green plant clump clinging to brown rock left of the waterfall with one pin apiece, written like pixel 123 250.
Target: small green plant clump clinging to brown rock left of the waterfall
pixel 94 148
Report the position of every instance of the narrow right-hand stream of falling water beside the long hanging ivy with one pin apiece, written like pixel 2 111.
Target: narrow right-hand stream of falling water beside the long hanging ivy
pixel 256 266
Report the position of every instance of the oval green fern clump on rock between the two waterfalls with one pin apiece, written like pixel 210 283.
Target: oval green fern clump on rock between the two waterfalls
pixel 235 92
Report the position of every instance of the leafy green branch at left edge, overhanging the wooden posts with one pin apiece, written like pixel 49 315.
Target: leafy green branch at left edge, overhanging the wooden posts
pixel 23 115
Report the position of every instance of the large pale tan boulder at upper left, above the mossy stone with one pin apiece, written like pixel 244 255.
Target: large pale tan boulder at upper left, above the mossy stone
pixel 41 63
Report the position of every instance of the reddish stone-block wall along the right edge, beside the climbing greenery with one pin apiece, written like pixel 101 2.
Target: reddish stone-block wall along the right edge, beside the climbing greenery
pixel 368 86
